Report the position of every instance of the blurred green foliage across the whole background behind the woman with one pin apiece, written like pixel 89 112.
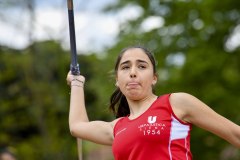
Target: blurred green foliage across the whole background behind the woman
pixel 192 57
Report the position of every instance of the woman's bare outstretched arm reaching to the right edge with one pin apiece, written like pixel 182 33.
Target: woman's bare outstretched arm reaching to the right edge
pixel 190 109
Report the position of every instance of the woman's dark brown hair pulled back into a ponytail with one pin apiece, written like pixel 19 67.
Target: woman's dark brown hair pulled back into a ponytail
pixel 118 102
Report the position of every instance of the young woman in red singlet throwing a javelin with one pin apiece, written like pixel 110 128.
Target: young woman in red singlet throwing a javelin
pixel 147 126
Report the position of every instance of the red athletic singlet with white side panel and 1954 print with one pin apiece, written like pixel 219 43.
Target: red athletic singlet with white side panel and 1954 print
pixel 155 135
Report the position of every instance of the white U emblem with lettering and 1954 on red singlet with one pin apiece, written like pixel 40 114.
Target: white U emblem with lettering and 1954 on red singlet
pixel 151 127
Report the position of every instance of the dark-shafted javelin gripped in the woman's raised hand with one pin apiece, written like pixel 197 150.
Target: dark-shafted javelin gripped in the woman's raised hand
pixel 74 67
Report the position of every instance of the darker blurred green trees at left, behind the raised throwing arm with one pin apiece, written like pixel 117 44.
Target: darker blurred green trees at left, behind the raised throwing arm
pixel 35 98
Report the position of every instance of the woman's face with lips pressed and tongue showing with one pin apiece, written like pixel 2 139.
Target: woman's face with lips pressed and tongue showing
pixel 135 75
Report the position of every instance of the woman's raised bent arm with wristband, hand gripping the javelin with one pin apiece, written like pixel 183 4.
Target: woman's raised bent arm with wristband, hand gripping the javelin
pixel 96 131
